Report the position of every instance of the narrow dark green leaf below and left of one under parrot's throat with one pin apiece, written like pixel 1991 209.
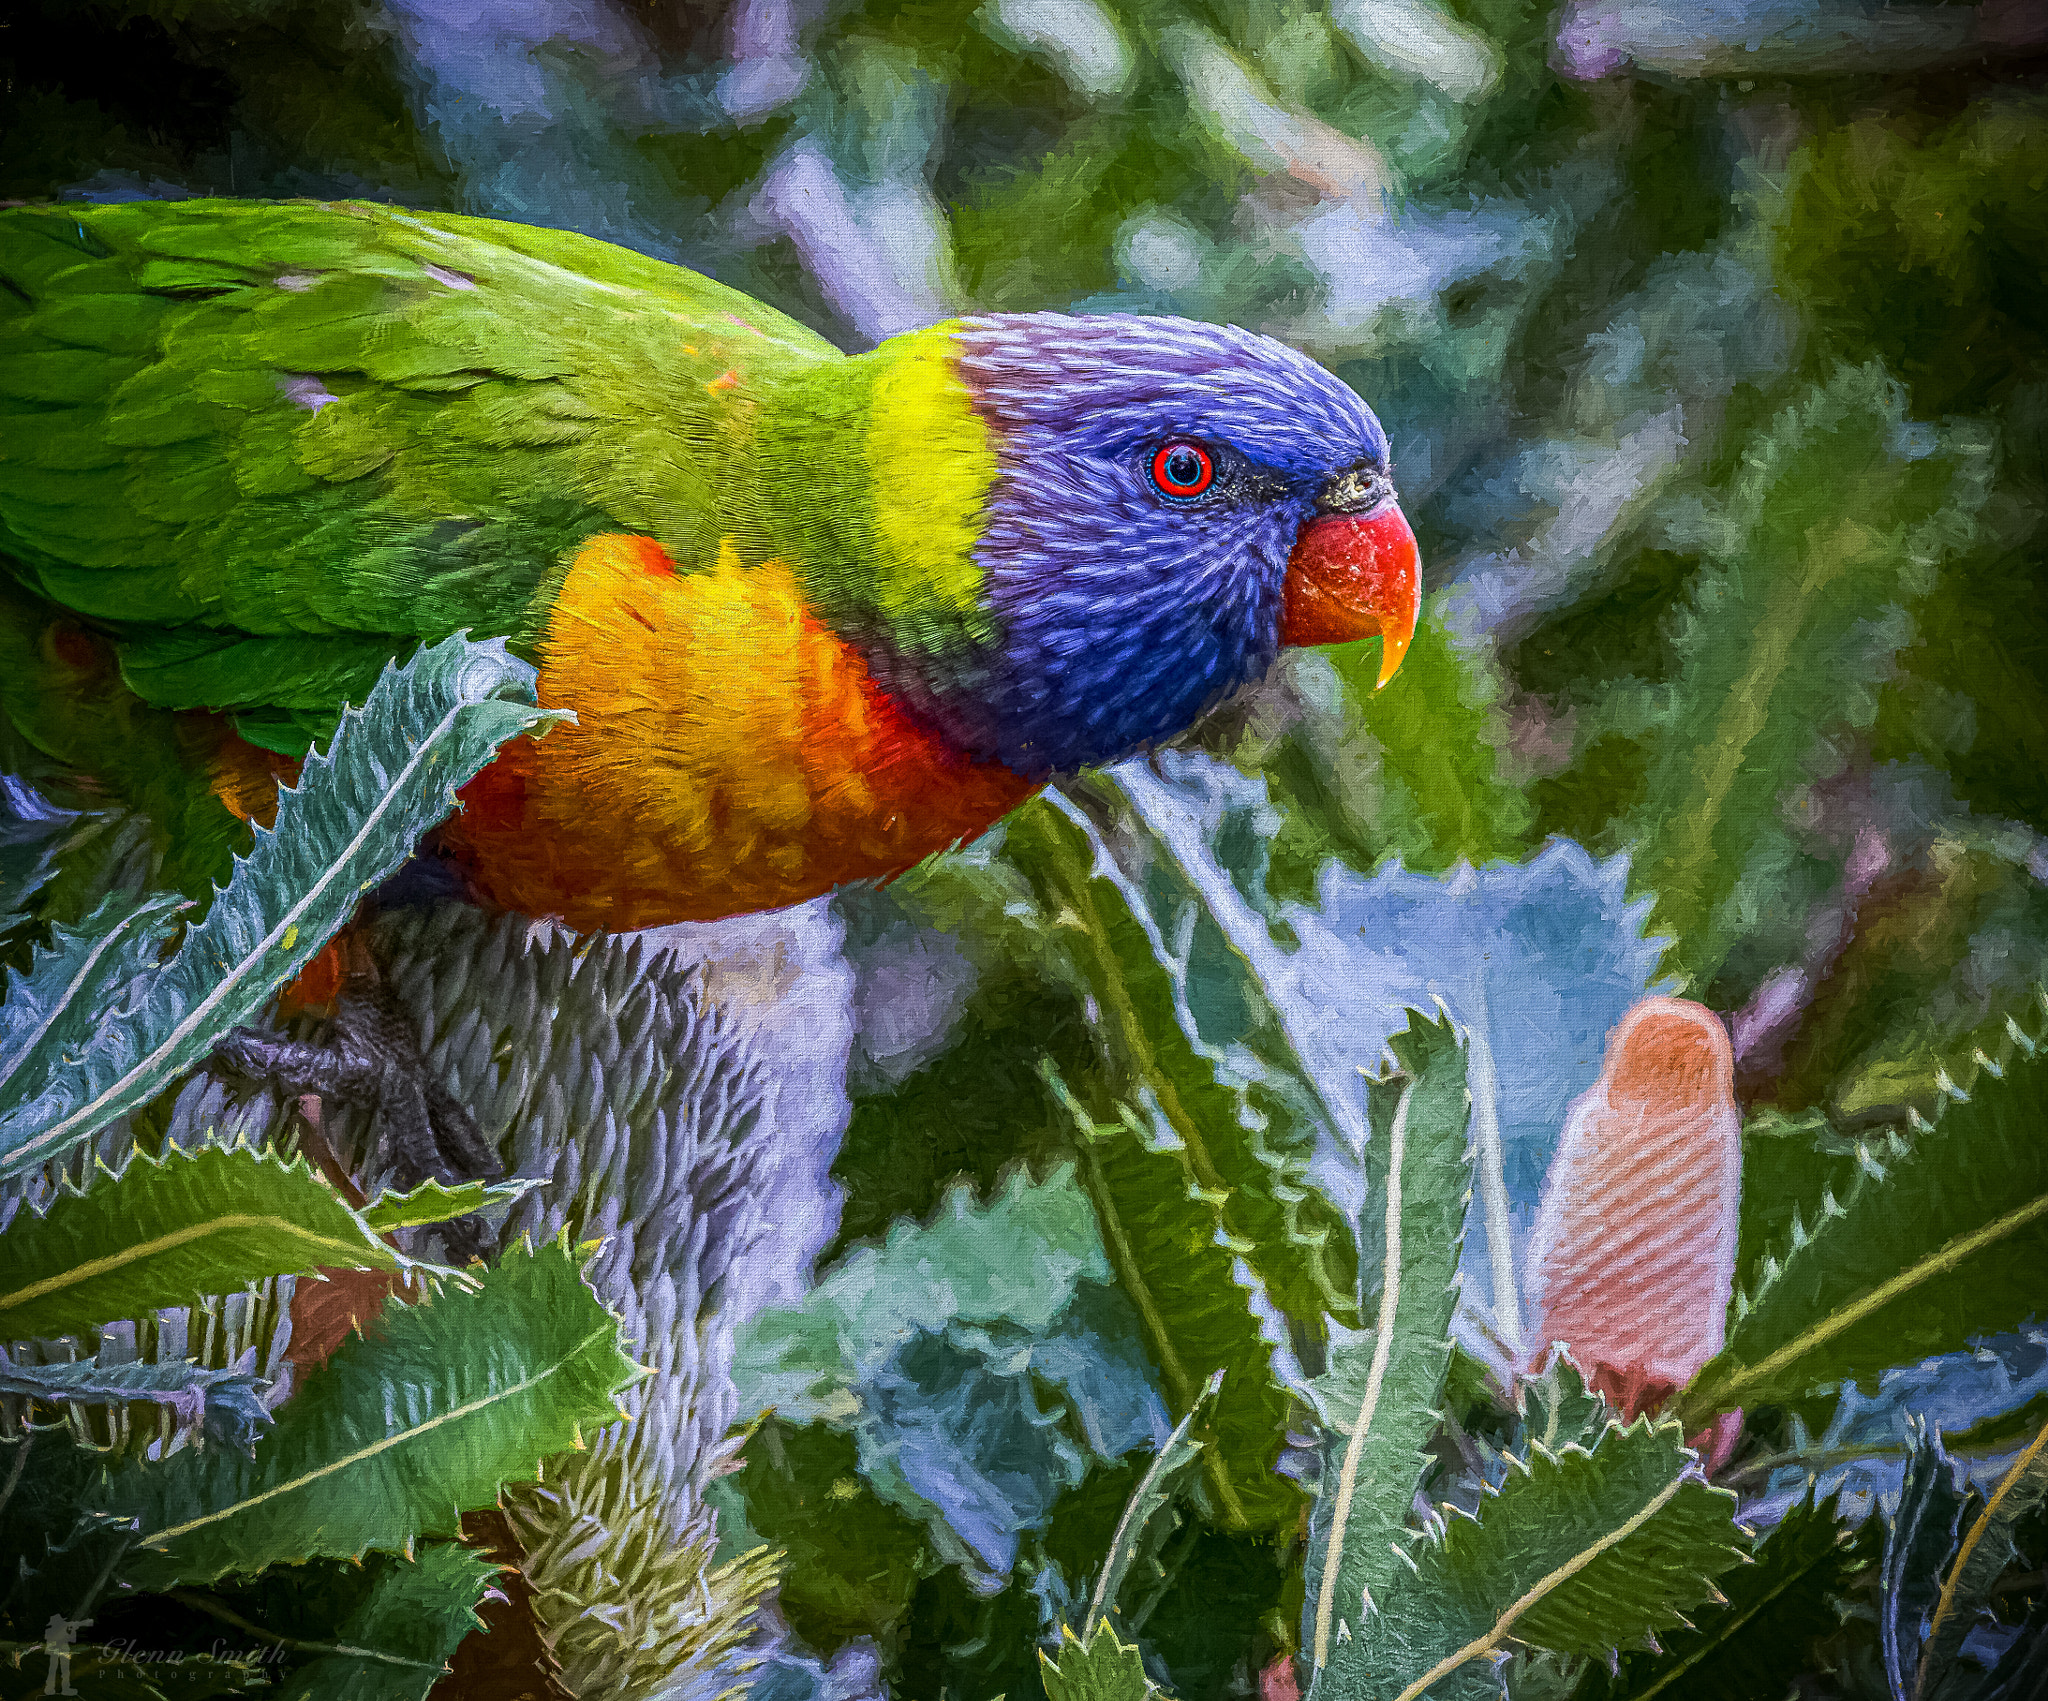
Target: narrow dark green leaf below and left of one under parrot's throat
pixel 1164 1239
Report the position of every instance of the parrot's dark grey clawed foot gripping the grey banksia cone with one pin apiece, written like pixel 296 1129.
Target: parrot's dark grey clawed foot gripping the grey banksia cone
pixel 372 1061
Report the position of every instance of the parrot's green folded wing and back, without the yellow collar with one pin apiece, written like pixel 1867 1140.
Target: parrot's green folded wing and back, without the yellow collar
pixel 271 445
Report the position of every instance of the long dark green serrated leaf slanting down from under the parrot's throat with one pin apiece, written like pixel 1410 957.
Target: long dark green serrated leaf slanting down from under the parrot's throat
pixel 1246 1145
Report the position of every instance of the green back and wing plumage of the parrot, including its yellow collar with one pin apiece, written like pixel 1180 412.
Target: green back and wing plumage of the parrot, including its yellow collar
pixel 267 447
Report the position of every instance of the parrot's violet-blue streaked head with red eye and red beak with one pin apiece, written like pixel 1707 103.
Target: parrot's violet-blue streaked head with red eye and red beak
pixel 1158 482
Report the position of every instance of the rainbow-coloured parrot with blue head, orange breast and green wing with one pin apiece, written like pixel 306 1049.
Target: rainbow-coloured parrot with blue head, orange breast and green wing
pixel 816 615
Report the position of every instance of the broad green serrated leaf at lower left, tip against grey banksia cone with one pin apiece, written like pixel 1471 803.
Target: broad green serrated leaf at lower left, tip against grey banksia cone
pixel 398 1436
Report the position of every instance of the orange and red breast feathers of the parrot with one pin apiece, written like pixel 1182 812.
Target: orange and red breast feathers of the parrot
pixel 730 754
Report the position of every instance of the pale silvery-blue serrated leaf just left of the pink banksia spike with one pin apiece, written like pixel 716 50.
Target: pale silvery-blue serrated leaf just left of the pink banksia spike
pixel 1549 947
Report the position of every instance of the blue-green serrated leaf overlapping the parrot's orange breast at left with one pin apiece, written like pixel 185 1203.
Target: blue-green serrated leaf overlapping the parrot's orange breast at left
pixel 353 818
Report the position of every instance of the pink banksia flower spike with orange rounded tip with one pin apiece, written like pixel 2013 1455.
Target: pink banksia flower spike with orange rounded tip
pixel 1633 1254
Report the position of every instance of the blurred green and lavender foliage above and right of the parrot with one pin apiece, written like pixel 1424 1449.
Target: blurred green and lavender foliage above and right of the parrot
pixel 1713 343
